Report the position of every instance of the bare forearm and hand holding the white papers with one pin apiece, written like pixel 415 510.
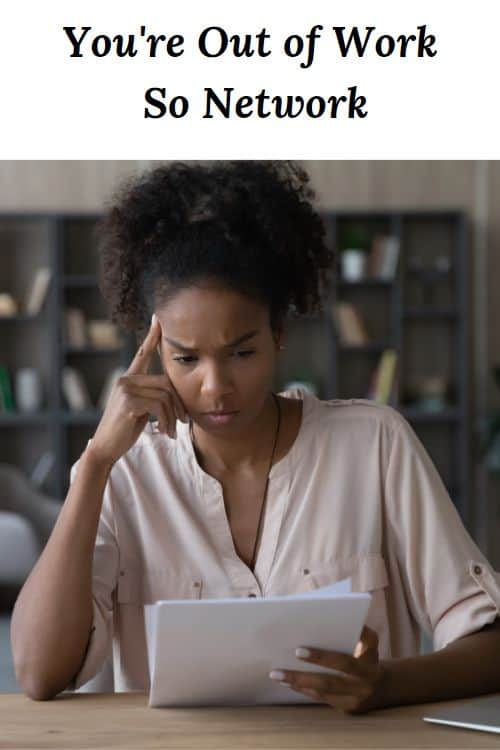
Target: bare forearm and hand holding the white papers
pixel 467 667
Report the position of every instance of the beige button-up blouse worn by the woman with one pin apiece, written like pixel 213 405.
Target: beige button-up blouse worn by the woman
pixel 356 495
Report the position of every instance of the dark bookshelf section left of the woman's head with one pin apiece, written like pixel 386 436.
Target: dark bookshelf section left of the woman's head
pixel 66 245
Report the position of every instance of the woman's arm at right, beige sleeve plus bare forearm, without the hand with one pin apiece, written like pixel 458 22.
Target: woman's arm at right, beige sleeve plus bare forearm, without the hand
pixel 449 585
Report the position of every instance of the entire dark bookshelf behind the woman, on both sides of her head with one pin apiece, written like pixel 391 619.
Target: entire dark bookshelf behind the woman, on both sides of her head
pixel 422 313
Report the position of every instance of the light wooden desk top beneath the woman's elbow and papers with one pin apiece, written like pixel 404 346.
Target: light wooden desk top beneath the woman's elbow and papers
pixel 124 720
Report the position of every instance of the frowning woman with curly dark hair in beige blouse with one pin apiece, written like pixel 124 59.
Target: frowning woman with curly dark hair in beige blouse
pixel 236 490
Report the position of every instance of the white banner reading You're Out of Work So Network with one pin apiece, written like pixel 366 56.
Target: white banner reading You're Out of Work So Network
pixel 202 79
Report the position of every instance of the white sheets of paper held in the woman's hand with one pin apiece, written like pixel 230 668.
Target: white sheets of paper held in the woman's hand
pixel 220 651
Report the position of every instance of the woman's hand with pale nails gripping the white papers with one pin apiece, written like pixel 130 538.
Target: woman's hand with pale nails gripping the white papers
pixel 357 690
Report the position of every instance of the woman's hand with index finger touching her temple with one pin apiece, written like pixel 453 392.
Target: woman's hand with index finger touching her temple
pixel 133 397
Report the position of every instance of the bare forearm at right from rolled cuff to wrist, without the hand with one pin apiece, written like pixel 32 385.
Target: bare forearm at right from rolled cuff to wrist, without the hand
pixel 469 666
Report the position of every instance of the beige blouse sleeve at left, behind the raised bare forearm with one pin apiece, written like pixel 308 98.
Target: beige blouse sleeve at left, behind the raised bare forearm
pixel 105 565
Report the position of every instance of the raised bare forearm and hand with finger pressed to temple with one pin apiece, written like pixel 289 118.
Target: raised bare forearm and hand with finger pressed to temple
pixel 52 618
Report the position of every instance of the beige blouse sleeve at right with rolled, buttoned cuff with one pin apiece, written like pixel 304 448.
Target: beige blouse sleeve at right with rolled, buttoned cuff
pixel 451 587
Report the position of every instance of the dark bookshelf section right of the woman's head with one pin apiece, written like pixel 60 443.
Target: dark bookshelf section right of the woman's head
pixel 423 314
